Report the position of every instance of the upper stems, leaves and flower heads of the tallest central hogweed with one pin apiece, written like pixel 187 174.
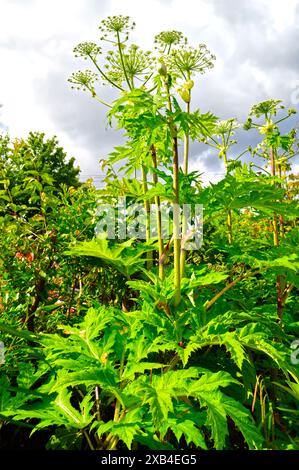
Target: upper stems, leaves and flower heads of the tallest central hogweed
pixel 150 113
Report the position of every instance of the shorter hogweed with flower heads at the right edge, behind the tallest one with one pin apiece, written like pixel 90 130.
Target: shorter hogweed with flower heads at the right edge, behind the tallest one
pixel 259 201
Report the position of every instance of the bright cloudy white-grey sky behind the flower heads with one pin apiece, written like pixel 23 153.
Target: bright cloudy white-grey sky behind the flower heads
pixel 256 43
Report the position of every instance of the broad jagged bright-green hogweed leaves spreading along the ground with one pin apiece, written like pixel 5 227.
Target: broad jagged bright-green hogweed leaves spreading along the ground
pixel 112 382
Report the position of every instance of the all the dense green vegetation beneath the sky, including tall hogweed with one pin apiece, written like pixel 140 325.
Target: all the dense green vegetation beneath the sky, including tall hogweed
pixel 137 342
